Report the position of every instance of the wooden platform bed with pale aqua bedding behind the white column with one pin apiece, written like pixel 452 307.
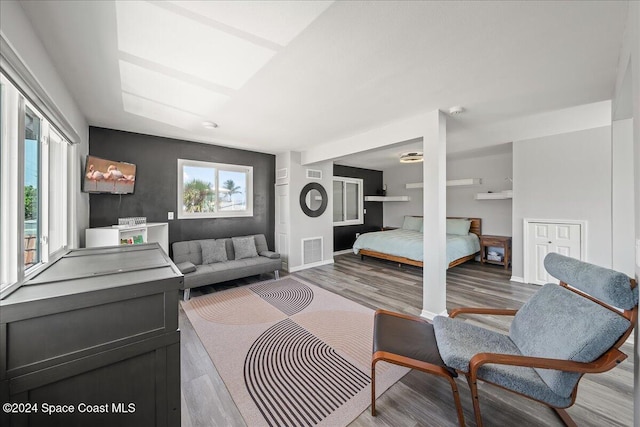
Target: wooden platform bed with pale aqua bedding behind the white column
pixel 404 245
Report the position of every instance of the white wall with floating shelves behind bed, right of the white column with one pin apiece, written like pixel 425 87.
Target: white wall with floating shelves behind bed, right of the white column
pixel 495 170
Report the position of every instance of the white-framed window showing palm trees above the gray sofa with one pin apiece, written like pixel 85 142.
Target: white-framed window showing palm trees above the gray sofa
pixel 214 190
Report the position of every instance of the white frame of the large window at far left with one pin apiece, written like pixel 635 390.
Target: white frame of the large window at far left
pixel 14 106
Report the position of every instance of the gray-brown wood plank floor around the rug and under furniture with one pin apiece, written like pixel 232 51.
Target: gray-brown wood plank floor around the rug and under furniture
pixel 418 399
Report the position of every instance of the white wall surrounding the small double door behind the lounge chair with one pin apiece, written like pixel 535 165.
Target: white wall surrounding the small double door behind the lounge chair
pixel 564 177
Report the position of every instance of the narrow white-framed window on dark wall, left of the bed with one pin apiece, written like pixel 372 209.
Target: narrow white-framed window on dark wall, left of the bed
pixel 347 201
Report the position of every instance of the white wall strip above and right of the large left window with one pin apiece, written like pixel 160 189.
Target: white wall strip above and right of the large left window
pixel 17 30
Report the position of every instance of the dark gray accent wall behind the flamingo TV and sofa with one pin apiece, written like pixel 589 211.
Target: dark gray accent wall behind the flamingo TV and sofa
pixel 155 195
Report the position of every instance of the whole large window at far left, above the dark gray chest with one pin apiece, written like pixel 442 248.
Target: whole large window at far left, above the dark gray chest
pixel 33 187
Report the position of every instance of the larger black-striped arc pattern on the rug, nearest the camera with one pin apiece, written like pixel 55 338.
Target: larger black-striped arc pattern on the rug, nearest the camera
pixel 295 379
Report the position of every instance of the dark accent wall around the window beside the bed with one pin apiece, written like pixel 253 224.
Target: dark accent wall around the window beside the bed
pixel 344 236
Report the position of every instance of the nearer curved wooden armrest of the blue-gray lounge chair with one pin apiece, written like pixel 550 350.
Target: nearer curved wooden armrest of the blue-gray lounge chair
pixel 605 362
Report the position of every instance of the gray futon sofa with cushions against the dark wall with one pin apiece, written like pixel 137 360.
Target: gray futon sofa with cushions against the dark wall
pixel 209 261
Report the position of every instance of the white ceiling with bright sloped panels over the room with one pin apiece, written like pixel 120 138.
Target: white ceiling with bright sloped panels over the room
pixel 279 76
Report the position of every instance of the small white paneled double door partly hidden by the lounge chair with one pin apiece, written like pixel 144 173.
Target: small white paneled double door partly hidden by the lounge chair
pixel 543 238
